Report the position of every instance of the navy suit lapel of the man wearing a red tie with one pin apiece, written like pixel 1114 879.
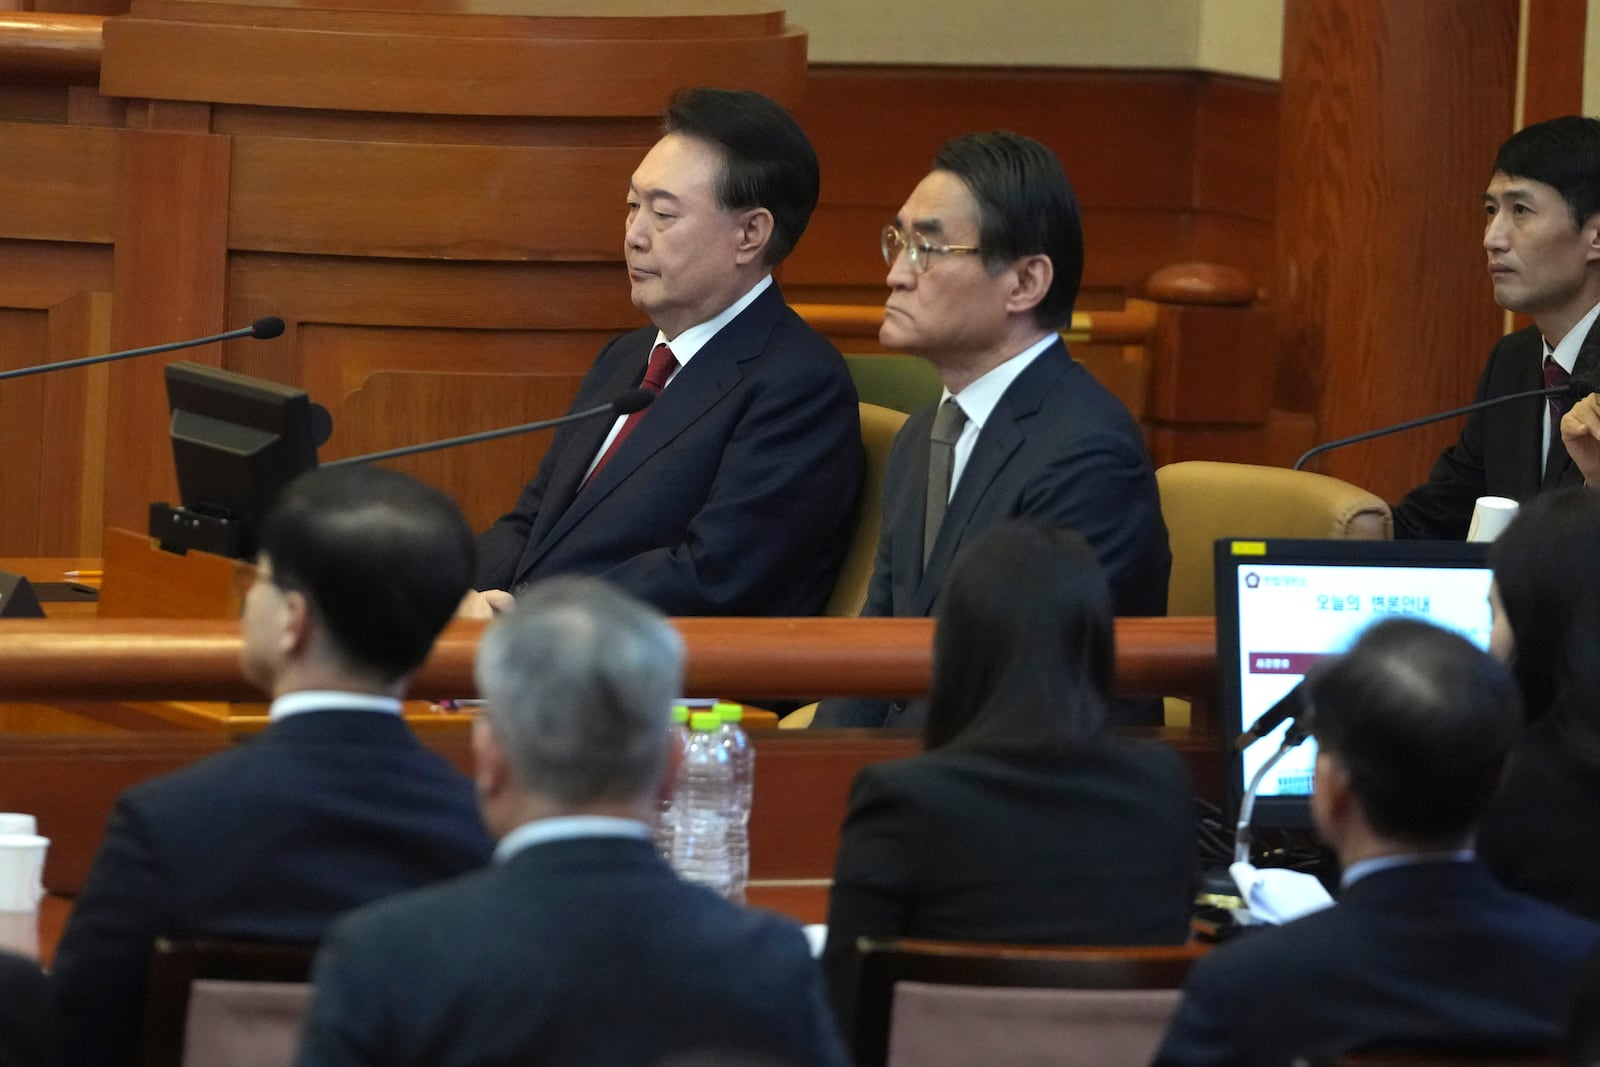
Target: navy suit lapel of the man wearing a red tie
pixel 689 398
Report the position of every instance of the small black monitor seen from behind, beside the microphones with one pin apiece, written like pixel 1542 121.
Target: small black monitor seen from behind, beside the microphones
pixel 238 442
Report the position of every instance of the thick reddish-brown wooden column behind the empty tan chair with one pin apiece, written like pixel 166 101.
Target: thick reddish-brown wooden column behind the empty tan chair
pixel 1393 113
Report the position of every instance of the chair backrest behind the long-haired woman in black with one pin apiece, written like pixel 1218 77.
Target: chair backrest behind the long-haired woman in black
pixel 1002 993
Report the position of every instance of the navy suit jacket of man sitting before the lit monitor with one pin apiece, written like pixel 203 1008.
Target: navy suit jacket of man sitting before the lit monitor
pixel 1436 954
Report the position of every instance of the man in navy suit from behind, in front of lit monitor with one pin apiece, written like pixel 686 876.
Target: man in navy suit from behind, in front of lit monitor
pixel 1425 948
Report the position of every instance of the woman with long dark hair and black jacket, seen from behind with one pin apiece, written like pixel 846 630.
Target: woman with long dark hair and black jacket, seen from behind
pixel 1026 820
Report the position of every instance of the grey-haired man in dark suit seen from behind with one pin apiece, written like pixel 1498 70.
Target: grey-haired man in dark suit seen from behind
pixel 578 946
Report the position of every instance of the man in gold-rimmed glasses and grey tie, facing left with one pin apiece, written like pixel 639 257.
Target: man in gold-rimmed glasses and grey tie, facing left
pixel 985 265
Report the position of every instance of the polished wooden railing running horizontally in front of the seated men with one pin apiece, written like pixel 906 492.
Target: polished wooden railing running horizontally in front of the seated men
pixel 164 660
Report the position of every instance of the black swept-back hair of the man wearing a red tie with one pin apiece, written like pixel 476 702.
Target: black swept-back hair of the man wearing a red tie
pixel 767 161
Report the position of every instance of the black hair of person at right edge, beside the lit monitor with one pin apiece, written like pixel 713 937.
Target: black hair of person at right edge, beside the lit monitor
pixel 1548 570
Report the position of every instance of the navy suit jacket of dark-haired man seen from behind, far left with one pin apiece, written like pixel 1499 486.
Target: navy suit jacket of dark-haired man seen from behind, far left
pixel 268 842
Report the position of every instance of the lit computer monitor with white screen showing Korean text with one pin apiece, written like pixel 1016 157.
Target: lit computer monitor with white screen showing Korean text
pixel 1282 605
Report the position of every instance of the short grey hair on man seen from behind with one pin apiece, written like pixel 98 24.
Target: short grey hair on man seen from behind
pixel 578 685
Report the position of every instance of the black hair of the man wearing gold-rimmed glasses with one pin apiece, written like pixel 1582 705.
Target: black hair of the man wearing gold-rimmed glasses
pixel 1026 207
